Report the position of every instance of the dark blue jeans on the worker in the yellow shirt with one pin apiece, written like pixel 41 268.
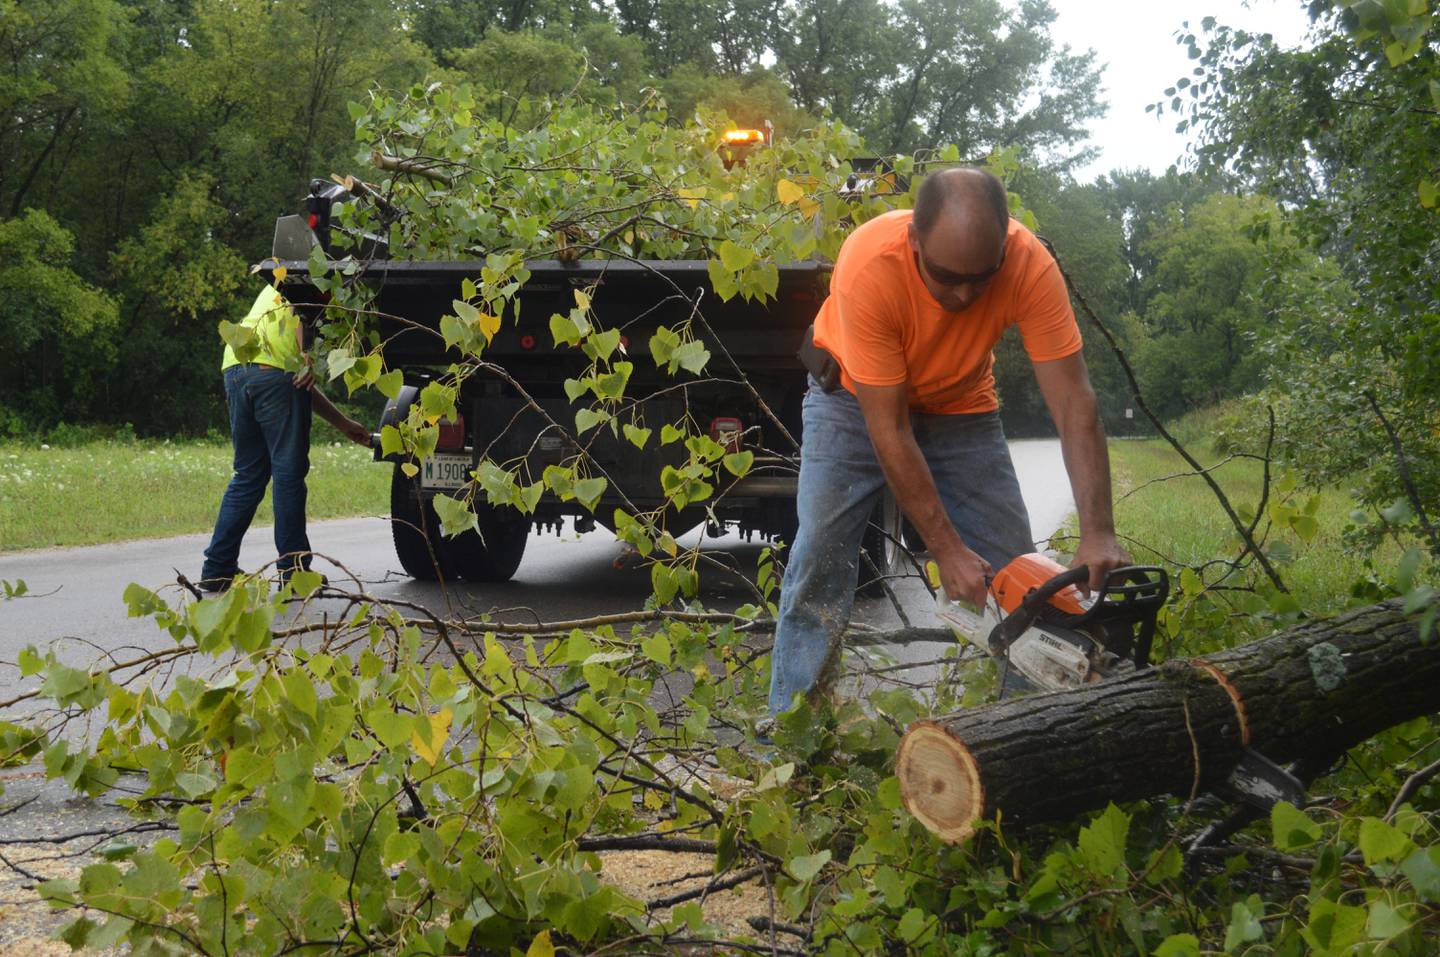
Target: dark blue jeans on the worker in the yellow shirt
pixel 270 430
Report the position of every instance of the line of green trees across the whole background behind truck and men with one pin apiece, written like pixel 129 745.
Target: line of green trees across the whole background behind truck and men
pixel 146 148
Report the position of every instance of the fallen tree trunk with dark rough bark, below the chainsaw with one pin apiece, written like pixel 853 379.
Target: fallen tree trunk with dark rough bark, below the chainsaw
pixel 1307 693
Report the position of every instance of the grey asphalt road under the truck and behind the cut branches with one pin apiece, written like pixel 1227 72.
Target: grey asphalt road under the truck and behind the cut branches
pixel 76 594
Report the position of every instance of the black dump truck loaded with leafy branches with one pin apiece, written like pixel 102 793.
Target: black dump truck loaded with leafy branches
pixel 750 398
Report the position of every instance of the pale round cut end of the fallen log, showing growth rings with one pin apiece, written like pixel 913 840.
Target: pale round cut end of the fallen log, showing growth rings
pixel 940 782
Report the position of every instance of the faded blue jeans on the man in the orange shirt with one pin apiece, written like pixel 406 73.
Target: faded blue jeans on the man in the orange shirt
pixel 840 486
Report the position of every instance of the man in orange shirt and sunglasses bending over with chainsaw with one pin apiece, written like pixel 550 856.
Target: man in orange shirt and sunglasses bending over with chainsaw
pixel 918 301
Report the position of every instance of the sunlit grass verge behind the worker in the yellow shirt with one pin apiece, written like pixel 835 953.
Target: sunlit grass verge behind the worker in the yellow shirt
pixel 120 491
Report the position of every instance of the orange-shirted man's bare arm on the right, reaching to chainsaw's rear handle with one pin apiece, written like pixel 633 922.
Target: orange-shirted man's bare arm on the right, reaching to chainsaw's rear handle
pixel 1066 388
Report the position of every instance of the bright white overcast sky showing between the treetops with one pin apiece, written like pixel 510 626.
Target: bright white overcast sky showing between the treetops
pixel 1137 41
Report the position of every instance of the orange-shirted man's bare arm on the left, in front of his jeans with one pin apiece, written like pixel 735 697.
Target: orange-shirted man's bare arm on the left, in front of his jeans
pixel 888 421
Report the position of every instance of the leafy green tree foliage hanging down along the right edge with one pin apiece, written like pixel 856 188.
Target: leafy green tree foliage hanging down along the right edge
pixel 1343 130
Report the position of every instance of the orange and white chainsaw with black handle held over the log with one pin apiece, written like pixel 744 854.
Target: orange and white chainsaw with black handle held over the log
pixel 1038 624
